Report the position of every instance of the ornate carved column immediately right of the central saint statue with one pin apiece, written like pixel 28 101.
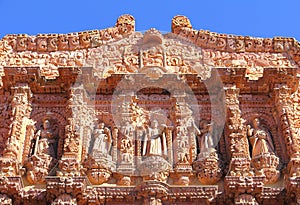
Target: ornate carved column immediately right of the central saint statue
pixel 184 141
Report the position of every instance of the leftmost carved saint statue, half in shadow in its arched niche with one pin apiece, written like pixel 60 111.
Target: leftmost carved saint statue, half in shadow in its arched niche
pixel 46 140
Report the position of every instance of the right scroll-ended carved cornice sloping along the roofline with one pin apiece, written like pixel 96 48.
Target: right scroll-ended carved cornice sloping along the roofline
pixel 233 43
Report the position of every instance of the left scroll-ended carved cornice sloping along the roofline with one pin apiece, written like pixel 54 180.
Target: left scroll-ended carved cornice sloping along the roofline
pixel 68 42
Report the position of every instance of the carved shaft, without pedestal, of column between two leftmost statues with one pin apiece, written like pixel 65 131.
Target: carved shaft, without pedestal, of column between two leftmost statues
pixel 79 122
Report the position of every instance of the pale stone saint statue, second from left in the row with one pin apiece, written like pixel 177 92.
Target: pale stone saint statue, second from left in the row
pixel 103 140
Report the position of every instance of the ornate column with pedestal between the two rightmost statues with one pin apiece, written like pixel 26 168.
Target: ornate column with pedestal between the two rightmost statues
pixel 239 179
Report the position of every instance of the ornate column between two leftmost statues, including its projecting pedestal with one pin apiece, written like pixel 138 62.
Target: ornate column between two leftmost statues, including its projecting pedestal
pixel 70 167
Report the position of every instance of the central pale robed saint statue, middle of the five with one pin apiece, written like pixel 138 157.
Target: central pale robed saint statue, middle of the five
pixel 155 141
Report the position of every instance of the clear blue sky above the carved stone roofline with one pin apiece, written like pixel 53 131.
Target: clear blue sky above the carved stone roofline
pixel 259 18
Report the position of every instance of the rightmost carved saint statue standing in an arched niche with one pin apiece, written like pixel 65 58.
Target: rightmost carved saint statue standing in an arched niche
pixel 260 139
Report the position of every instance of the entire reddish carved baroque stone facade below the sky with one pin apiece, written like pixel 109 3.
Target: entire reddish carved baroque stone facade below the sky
pixel 117 116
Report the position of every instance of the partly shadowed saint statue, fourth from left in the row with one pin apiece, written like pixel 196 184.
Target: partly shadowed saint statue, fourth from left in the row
pixel 206 143
